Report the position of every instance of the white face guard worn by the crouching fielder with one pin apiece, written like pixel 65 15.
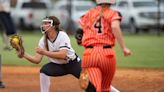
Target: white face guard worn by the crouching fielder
pixel 46 22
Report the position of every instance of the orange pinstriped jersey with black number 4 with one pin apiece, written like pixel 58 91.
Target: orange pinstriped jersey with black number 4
pixel 96 28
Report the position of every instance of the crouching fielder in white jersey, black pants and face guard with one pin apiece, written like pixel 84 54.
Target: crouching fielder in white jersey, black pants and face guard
pixel 55 44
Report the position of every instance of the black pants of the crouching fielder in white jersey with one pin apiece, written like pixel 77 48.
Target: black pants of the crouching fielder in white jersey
pixel 73 67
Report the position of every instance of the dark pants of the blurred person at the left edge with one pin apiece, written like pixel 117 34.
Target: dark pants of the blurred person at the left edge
pixel 7 22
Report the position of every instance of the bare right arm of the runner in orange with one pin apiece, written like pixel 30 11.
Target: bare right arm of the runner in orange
pixel 118 34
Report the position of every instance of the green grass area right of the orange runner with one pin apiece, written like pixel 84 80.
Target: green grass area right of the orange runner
pixel 147 50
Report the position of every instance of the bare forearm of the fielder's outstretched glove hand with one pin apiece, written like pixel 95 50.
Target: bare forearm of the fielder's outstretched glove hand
pixel 34 59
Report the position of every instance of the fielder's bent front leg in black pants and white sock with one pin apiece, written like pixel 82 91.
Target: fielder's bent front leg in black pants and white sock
pixel 50 69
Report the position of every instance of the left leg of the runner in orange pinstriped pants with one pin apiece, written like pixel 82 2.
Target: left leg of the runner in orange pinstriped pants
pixel 89 62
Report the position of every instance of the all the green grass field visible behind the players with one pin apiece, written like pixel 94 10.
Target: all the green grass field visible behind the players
pixel 147 51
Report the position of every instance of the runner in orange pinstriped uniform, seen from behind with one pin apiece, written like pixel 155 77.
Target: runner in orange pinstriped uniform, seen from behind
pixel 101 26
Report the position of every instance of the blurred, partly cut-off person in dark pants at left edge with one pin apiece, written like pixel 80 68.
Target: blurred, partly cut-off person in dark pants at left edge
pixel 7 22
